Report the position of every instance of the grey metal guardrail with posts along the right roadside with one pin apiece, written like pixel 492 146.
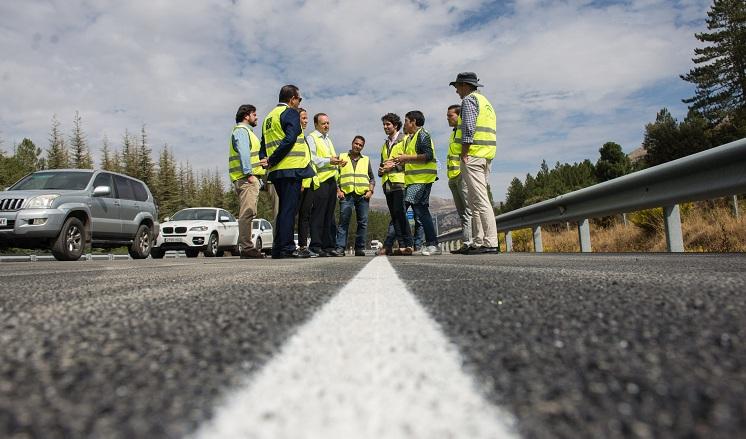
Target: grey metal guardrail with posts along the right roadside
pixel 717 172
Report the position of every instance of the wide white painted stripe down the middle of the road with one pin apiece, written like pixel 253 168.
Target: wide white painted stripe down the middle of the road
pixel 370 364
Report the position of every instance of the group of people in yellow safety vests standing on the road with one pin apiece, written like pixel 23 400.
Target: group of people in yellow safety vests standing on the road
pixel 306 177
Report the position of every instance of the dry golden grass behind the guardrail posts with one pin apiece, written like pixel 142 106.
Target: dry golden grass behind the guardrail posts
pixel 706 228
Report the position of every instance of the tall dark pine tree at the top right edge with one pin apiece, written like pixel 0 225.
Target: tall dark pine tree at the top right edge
pixel 720 75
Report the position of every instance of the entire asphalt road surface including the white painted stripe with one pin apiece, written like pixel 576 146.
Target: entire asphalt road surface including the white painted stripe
pixel 513 345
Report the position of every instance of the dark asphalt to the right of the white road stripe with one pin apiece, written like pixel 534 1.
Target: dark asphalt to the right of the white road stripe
pixel 598 346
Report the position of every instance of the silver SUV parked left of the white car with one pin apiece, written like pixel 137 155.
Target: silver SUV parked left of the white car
pixel 66 209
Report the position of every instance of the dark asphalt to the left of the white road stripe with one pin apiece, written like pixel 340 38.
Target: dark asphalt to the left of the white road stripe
pixel 143 349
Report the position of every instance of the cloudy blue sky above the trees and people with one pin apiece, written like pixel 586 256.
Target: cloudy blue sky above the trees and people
pixel 564 76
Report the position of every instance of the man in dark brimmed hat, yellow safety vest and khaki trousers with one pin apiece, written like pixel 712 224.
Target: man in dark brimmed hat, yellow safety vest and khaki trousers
pixel 476 131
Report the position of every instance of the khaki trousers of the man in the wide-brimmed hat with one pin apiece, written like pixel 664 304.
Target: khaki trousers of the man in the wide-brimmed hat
pixel 476 175
